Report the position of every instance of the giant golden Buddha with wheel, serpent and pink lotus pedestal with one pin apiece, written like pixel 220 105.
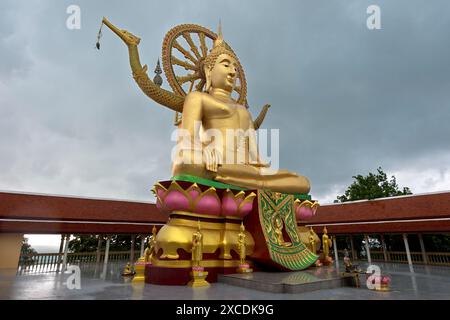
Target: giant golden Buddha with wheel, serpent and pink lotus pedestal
pixel 216 149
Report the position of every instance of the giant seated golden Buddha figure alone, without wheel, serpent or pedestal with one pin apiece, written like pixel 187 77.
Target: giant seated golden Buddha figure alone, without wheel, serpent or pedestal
pixel 217 139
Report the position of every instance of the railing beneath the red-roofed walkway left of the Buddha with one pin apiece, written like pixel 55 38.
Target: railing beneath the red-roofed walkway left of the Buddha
pixel 52 262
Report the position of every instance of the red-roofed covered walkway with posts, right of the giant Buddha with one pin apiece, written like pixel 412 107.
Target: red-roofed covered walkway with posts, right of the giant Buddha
pixel 396 229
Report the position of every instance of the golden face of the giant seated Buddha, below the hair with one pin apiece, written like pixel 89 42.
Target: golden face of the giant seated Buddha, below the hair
pixel 223 74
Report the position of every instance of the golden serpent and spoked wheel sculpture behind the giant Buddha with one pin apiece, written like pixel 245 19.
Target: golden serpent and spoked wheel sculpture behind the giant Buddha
pixel 194 64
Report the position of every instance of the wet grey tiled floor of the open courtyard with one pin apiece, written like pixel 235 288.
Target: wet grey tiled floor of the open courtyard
pixel 425 283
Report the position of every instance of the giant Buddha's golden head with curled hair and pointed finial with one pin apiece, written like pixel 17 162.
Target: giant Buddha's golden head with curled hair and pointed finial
pixel 220 66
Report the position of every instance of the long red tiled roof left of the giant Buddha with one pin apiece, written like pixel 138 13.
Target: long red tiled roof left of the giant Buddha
pixel 46 213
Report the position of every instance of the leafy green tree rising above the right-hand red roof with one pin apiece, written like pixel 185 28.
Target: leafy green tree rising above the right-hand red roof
pixel 372 186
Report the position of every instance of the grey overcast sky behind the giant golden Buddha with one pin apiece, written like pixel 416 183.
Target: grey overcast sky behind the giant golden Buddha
pixel 346 99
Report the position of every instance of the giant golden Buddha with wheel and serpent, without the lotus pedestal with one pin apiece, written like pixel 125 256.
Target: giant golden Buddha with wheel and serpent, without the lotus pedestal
pixel 232 158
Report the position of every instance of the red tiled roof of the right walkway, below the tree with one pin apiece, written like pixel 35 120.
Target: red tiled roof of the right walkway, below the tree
pixel 424 212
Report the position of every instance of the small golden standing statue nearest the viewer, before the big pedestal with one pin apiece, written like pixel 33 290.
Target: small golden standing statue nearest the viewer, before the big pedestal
pixel 198 275
